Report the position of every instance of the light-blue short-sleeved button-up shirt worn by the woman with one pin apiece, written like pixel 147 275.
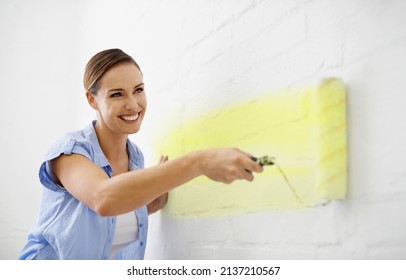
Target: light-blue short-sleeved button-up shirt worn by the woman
pixel 68 229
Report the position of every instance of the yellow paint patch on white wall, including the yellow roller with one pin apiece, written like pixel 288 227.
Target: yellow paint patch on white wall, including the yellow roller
pixel 303 128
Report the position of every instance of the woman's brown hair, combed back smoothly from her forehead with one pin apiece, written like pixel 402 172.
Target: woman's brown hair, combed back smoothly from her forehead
pixel 100 63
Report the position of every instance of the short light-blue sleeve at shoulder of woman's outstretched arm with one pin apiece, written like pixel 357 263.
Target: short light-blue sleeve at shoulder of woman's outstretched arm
pixel 65 146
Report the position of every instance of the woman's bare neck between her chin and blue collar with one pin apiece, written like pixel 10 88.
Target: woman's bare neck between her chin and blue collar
pixel 113 145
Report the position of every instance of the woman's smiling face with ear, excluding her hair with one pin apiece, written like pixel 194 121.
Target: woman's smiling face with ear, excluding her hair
pixel 120 101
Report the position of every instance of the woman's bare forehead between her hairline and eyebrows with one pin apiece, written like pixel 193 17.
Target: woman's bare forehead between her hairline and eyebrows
pixel 122 75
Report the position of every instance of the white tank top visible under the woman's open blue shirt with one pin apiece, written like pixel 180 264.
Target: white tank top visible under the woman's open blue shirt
pixel 126 232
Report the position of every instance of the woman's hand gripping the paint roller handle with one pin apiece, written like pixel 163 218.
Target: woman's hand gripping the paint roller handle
pixel 228 165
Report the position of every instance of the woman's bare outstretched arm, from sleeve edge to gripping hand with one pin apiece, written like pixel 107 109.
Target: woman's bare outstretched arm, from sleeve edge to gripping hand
pixel 128 191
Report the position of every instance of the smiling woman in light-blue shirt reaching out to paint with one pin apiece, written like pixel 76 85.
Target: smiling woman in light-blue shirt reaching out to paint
pixel 97 194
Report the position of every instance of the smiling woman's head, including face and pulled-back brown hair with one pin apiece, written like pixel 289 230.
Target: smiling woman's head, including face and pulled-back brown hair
pixel 121 91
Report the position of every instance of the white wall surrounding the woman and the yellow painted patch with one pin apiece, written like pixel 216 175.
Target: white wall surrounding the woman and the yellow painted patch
pixel 200 57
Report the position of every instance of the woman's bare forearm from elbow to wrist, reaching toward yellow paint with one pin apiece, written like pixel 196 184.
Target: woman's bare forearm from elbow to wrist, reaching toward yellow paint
pixel 128 191
